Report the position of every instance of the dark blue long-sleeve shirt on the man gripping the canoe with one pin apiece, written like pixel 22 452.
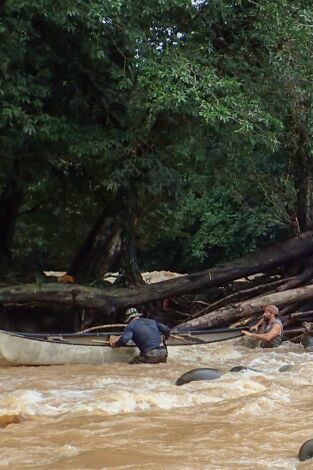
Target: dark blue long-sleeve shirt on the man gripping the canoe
pixel 145 333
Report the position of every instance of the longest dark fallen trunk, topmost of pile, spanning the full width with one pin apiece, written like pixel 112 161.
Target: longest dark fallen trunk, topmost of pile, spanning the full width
pixel 113 299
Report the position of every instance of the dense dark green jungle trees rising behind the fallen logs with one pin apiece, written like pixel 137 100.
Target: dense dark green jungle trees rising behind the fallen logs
pixel 164 134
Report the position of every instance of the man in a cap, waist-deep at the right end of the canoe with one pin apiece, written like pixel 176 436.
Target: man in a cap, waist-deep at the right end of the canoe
pixel 273 333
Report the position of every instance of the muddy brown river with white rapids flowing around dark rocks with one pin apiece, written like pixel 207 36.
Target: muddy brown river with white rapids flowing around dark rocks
pixel 135 417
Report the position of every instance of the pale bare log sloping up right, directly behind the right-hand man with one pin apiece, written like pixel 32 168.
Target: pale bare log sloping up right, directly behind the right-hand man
pixel 244 309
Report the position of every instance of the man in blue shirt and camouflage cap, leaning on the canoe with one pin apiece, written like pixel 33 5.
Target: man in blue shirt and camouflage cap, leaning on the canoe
pixel 146 334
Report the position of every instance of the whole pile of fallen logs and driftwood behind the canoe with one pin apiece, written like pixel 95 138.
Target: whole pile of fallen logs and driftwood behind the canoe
pixel 232 295
